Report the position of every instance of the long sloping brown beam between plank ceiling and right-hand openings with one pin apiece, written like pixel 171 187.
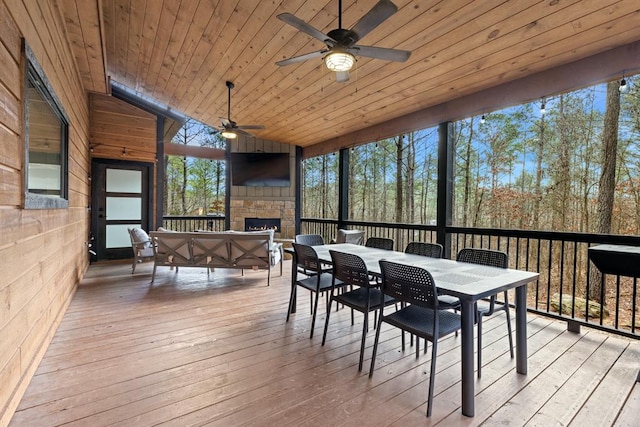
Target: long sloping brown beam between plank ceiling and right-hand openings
pixel 595 69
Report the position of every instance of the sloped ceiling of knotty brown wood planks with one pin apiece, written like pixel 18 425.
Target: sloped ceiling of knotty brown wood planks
pixel 181 54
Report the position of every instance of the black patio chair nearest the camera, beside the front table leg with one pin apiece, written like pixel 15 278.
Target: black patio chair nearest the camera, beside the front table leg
pixel 420 316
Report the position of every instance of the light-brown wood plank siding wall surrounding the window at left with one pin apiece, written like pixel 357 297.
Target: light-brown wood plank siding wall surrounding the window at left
pixel 43 252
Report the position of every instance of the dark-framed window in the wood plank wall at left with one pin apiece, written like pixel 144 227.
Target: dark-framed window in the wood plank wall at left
pixel 46 141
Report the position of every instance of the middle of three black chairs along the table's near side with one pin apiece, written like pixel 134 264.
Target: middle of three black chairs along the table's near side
pixel 365 297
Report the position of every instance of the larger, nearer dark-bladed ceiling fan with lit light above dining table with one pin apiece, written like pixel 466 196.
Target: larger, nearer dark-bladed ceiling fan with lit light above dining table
pixel 339 56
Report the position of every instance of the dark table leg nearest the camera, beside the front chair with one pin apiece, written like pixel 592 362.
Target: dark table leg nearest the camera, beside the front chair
pixel 468 381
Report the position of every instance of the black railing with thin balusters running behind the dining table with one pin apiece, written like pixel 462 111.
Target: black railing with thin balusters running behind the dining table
pixel 559 274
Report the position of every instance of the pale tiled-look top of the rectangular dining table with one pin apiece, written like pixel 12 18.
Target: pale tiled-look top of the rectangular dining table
pixel 460 279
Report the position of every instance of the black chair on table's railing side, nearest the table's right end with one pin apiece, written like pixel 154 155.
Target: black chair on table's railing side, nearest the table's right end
pixel 490 258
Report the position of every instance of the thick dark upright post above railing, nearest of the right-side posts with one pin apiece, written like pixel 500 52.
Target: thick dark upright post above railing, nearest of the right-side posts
pixel 445 186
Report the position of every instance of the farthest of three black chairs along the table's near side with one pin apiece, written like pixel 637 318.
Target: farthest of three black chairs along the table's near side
pixel 316 279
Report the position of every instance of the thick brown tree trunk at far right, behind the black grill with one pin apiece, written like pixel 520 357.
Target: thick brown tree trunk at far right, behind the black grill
pixel 606 186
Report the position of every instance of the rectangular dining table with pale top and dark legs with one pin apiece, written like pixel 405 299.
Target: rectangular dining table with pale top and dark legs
pixel 468 282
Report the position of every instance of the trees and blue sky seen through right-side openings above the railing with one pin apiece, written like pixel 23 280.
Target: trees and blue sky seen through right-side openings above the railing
pixel 517 170
